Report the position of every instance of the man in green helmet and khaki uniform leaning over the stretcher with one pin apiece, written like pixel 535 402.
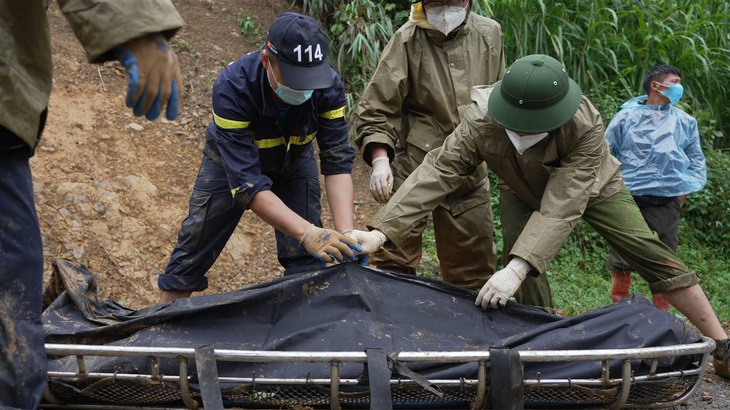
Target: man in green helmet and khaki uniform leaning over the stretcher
pixel 545 141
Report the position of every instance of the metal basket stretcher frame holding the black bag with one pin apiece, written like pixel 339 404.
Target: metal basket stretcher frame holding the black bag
pixel 203 389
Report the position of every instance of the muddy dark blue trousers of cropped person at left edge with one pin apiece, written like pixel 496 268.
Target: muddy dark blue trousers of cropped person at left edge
pixel 22 354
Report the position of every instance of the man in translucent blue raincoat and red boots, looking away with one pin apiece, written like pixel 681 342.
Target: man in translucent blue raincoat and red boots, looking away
pixel 662 163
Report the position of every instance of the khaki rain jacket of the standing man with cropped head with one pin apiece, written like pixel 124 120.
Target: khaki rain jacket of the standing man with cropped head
pixel 421 89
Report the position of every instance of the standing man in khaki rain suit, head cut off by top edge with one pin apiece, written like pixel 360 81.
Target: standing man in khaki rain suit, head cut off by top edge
pixel 416 97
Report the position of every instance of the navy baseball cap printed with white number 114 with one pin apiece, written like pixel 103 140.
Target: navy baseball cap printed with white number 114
pixel 300 48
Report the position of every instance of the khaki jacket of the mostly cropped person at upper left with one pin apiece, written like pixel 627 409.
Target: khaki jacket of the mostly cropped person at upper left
pixel 25 48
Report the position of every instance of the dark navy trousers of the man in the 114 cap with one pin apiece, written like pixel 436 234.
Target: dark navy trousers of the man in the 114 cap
pixel 212 218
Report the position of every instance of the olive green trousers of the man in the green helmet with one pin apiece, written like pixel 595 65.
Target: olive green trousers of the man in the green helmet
pixel 620 222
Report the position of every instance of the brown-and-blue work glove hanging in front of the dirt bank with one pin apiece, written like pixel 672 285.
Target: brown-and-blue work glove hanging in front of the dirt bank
pixel 154 76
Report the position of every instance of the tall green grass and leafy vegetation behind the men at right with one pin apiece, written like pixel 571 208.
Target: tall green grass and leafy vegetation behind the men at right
pixel 607 46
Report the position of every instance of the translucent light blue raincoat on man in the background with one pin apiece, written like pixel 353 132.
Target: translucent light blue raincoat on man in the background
pixel 659 149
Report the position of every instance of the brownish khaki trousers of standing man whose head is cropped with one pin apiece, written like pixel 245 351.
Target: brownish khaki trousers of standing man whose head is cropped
pixel 464 244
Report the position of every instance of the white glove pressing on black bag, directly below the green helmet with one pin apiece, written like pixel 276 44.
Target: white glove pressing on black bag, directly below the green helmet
pixel 503 284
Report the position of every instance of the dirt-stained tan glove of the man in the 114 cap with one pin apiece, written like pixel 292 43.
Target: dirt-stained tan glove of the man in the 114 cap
pixel 328 245
